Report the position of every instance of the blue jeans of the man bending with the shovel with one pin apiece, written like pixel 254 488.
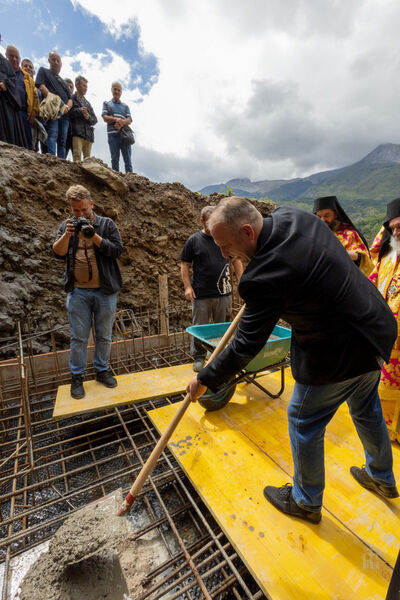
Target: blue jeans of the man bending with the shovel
pixel 309 412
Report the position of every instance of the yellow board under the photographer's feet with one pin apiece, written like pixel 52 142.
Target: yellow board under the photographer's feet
pixel 134 387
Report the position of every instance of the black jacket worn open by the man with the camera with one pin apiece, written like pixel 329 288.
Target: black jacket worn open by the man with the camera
pixel 106 255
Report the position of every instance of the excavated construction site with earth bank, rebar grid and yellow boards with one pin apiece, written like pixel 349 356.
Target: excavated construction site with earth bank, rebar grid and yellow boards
pixel 200 527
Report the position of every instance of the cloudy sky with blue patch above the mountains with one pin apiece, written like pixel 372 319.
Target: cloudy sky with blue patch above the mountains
pixel 222 89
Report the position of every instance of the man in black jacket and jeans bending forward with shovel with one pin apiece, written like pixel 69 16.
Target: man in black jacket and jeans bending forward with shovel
pixel 342 332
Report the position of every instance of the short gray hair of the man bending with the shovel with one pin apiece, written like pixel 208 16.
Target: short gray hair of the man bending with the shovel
pixel 234 212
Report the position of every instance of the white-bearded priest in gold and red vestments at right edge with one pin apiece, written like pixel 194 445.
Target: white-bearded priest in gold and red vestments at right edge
pixel 386 277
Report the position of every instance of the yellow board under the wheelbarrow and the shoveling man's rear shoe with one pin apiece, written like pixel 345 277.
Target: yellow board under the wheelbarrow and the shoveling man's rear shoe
pixel 264 421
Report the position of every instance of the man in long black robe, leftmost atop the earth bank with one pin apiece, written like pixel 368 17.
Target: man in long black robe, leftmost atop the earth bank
pixel 11 130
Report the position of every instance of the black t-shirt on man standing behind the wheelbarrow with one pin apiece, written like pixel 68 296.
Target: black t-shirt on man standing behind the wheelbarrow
pixel 210 269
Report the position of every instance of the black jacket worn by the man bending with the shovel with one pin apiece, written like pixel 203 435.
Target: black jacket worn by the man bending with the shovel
pixel 301 272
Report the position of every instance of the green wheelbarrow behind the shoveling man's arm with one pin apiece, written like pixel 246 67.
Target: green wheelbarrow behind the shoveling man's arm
pixel 271 358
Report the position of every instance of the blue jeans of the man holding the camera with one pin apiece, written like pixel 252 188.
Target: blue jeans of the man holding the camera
pixel 81 304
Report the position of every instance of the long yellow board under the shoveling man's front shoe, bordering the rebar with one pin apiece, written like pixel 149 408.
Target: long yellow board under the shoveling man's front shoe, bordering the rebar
pixel 290 559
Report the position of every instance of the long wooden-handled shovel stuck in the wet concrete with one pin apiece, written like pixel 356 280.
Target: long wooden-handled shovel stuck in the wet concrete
pixel 164 439
